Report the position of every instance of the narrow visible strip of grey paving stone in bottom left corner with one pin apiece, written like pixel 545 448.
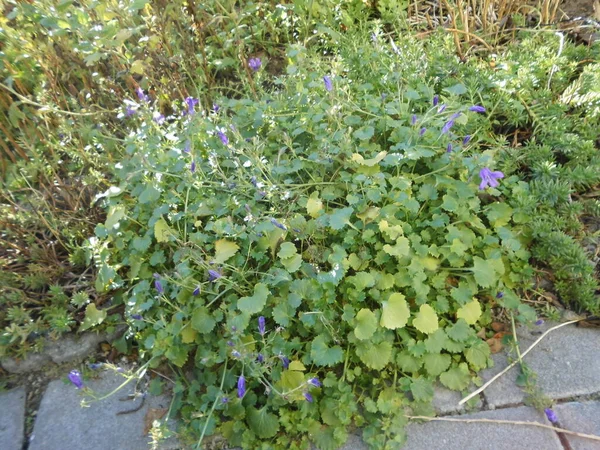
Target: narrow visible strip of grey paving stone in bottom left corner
pixel 12 419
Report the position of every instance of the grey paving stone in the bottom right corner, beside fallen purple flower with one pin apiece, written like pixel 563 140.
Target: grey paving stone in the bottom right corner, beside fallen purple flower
pixel 582 417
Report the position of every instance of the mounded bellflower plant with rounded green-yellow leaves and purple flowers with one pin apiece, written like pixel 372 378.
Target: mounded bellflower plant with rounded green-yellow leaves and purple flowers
pixel 320 255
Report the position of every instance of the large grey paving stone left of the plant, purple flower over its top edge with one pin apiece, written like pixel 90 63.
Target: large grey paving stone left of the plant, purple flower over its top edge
pixel 62 424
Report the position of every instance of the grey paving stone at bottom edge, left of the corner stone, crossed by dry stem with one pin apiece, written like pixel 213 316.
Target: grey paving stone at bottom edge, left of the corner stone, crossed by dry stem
pixel 484 436
